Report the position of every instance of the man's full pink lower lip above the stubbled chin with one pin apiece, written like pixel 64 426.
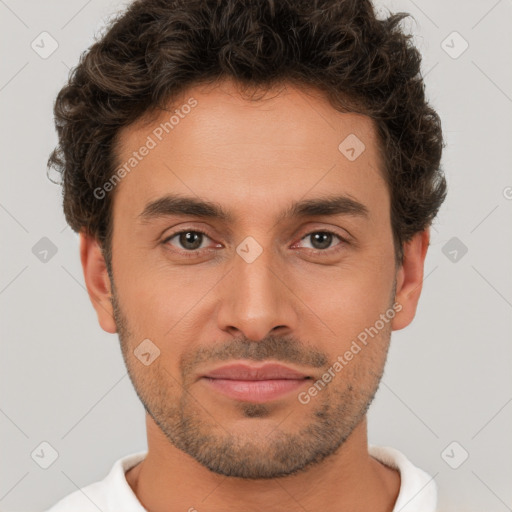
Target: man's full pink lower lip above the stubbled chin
pixel 257 391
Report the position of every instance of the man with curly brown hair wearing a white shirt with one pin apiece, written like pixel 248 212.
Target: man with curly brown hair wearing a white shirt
pixel 253 183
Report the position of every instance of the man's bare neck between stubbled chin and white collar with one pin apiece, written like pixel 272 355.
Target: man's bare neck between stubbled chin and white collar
pixel 170 480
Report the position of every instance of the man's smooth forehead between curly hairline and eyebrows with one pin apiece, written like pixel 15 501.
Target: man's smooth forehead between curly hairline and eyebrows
pixel 214 143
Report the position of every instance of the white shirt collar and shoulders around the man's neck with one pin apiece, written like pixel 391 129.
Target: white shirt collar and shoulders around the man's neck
pixel 418 492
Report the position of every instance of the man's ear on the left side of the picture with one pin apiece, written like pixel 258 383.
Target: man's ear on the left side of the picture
pixel 97 281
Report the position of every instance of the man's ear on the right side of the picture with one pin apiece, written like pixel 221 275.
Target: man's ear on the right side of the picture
pixel 409 279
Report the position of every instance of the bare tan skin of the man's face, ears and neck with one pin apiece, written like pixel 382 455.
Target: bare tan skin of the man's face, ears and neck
pixel 292 304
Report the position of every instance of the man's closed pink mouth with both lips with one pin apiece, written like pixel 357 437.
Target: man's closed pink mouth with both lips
pixel 255 384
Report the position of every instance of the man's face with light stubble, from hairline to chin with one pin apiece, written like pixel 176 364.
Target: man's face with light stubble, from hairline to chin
pixel 260 287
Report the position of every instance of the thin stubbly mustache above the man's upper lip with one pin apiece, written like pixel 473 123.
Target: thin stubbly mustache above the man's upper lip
pixel 285 349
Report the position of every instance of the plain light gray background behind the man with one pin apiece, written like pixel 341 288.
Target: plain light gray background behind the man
pixel 449 373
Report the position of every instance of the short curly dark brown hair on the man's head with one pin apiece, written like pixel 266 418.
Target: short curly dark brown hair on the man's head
pixel 156 49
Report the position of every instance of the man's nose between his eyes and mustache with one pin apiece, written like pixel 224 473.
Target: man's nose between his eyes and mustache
pixel 255 299
